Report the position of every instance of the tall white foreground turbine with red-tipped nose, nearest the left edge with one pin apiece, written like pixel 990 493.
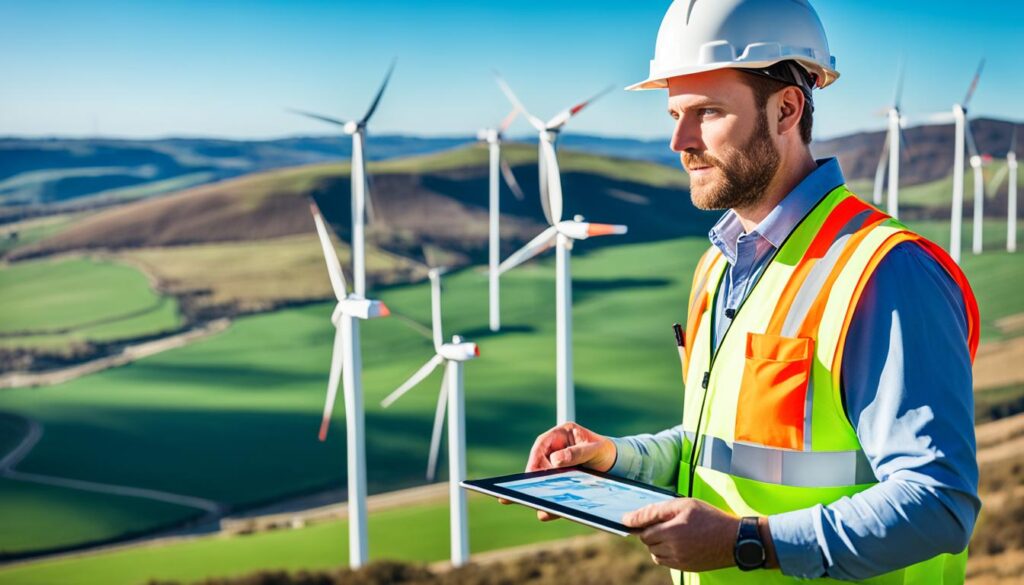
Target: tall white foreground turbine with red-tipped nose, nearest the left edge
pixel 347 363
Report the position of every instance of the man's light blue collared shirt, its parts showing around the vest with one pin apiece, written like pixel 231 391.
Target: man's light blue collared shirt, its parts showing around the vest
pixel 908 390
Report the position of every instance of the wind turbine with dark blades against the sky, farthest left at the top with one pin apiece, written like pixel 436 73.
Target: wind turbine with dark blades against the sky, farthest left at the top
pixel 361 199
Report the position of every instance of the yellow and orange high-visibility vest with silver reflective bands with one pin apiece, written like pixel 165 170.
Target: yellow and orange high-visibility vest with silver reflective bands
pixel 765 431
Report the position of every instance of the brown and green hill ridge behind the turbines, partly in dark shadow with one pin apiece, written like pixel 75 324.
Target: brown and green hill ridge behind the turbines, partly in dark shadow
pixel 438 200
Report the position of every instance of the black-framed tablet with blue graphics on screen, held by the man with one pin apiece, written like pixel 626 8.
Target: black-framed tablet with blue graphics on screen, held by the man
pixel 579 494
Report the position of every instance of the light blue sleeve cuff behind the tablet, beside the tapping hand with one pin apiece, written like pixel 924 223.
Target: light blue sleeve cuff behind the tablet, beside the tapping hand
pixel 650 458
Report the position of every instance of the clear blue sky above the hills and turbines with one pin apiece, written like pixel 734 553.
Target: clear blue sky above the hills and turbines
pixel 185 68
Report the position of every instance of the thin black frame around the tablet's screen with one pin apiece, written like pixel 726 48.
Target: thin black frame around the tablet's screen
pixel 490 487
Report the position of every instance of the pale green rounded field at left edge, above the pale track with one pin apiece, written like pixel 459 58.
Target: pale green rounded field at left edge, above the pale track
pixel 61 302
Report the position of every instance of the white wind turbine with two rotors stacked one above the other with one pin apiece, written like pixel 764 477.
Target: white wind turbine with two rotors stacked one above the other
pixel 562 235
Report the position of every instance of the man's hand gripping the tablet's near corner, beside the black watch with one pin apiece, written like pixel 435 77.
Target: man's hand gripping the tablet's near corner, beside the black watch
pixel 687 534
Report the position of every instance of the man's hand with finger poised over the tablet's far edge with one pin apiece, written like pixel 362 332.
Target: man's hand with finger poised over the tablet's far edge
pixel 566 446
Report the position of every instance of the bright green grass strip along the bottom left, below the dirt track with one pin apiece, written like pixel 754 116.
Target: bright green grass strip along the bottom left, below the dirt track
pixel 416 533
